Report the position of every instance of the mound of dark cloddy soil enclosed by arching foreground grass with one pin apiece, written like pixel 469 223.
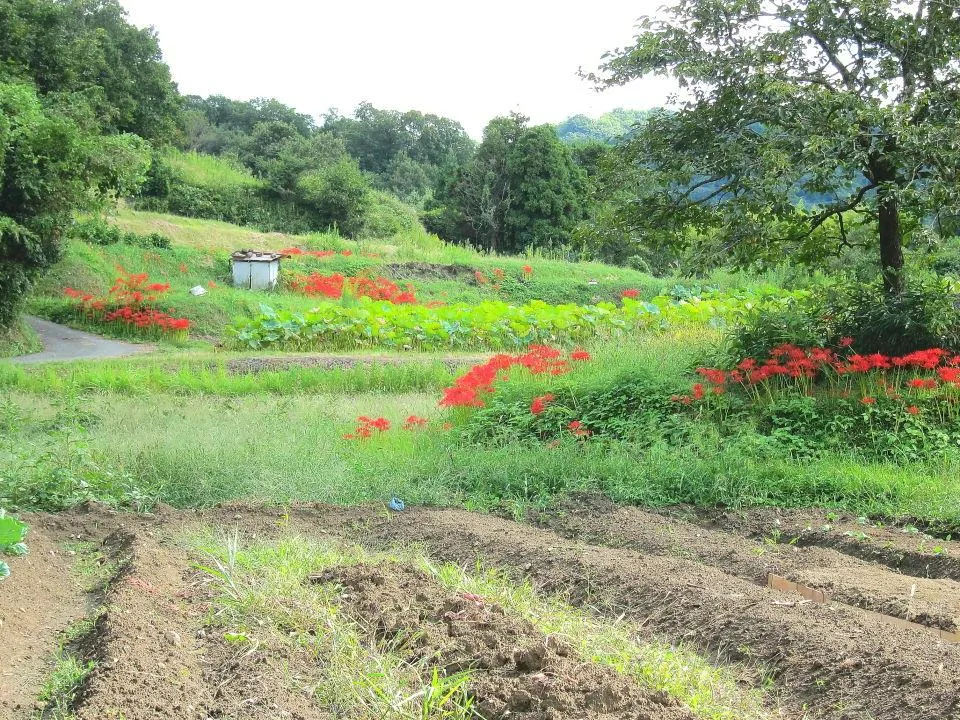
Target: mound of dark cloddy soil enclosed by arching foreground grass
pixel 514 670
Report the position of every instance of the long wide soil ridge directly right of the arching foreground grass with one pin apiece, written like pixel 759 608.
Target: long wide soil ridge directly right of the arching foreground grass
pixel 829 661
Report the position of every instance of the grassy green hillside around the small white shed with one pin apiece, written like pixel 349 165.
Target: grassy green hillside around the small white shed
pixel 199 255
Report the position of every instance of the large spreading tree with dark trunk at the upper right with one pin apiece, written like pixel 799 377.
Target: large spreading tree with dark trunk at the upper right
pixel 850 105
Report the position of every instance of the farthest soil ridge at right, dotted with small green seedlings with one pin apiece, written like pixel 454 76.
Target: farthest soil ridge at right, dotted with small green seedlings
pixel 903 548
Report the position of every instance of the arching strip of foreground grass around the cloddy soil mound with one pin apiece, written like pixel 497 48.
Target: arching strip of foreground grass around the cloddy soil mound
pixel 263 601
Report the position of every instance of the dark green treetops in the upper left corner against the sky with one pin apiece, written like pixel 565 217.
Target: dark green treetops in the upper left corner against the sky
pixel 85 53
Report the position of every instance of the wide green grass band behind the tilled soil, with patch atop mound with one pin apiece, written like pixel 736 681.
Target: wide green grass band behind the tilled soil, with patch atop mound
pixel 138 431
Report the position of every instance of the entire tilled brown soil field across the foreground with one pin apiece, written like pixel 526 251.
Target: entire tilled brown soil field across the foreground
pixel 874 642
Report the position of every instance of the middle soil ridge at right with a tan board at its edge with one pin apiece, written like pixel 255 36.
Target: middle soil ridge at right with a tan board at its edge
pixel 845 579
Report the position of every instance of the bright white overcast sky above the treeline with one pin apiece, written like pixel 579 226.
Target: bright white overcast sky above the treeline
pixel 469 61
